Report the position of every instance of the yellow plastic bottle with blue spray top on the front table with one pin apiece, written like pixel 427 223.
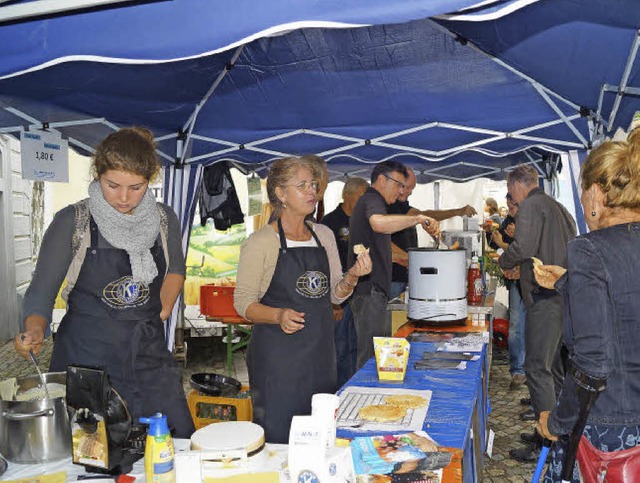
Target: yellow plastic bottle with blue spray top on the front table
pixel 158 451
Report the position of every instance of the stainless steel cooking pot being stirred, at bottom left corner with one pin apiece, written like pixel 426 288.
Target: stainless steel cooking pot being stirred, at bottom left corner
pixel 35 431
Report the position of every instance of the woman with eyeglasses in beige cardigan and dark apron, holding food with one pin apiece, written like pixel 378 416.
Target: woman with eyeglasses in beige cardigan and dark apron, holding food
pixel 289 274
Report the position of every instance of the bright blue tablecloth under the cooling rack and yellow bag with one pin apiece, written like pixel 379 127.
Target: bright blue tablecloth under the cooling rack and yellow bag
pixel 455 394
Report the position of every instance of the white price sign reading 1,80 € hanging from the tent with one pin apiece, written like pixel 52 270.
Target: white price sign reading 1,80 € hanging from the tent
pixel 45 156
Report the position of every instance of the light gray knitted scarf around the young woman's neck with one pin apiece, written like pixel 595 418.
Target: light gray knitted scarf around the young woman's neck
pixel 135 233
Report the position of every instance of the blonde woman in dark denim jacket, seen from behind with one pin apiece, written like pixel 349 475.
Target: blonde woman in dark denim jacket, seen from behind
pixel 602 314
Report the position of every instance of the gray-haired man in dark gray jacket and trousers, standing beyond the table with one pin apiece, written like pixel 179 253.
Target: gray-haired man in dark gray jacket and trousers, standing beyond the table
pixel 543 228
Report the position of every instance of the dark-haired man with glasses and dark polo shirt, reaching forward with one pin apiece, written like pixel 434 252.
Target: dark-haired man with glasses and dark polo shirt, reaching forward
pixel 372 226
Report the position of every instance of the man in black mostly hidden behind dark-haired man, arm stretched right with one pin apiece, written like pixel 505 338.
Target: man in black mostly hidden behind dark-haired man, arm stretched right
pixel 408 238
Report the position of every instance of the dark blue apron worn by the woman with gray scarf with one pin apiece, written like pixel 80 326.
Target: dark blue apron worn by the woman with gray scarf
pixel 114 323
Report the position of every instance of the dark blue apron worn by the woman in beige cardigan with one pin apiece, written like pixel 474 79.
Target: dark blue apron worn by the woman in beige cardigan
pixel 286 370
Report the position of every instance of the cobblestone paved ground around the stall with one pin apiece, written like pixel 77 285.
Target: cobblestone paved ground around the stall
pixel 207 354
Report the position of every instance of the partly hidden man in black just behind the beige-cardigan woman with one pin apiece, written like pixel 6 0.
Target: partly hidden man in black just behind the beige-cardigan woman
pixel 344 330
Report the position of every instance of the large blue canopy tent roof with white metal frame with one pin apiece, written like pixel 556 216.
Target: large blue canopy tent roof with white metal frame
pixel 456 96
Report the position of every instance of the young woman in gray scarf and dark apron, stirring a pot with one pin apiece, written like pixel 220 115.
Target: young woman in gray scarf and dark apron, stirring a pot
pixel 122 256
